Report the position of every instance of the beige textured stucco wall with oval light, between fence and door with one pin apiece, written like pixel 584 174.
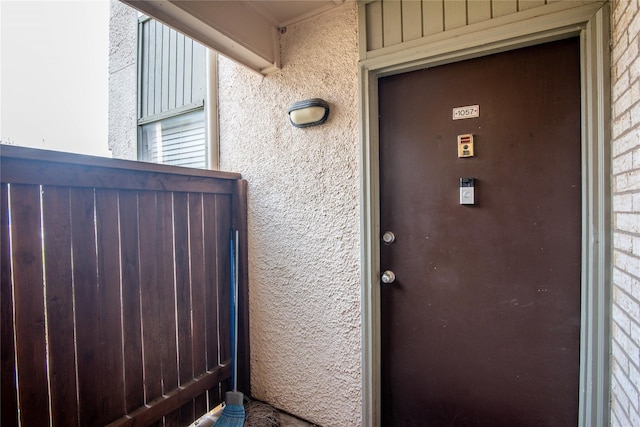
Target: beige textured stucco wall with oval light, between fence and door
pixel 303 219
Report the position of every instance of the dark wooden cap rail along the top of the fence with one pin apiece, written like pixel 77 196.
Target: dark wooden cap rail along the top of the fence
pixel 61 158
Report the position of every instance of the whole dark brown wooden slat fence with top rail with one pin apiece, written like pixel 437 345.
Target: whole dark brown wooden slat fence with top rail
pixel 115 290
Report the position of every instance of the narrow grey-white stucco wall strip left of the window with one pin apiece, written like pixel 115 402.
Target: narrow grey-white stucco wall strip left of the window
pixel 123 27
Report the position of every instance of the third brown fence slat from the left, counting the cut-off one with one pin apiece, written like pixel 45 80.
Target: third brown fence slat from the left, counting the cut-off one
pixel 62 361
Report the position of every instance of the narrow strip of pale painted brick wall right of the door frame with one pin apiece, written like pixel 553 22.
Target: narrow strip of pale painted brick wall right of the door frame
pixel 625 152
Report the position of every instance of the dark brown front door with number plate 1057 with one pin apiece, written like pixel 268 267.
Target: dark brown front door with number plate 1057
pixel 481 326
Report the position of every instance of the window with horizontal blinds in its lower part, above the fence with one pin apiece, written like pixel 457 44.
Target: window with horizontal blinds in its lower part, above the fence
pixel 172 89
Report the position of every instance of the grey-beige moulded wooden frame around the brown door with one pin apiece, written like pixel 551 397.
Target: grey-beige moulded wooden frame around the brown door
pixel 589 21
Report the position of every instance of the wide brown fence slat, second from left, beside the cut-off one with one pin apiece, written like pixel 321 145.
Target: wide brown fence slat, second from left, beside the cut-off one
pixel 29 304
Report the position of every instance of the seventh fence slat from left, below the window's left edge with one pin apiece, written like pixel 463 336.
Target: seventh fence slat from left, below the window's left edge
pixel 148 241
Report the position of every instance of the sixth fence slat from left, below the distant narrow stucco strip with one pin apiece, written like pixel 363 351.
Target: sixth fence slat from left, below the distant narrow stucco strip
pixel 131 318
